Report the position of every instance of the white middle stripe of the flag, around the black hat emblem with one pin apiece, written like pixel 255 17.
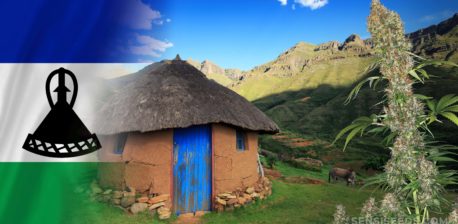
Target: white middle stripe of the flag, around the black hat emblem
pixel 23 102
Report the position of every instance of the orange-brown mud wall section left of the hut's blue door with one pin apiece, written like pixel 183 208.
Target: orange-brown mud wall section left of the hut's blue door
pixel 145 163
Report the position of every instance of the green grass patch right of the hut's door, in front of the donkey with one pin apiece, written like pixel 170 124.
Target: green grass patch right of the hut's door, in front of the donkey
pixel 297 203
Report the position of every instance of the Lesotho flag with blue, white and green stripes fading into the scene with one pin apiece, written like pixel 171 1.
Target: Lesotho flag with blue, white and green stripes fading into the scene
pixel 93 39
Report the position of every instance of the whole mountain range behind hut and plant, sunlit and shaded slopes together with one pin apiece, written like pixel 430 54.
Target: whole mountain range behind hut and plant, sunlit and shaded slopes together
pixel 305 87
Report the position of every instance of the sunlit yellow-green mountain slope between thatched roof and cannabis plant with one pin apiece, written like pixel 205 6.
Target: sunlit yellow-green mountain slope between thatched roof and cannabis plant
pixel 308 66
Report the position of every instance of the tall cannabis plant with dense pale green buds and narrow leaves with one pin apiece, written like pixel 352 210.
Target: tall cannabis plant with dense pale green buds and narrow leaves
pixel 412 178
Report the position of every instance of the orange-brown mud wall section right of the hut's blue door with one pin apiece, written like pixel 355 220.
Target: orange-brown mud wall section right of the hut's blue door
pixel 233 169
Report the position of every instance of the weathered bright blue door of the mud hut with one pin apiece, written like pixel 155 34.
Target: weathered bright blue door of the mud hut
pixel 192 169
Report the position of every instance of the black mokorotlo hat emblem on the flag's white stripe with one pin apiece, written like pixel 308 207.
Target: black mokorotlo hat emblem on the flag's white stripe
pixel 61 133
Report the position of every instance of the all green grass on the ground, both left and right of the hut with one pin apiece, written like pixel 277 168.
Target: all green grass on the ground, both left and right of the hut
pixel 289 203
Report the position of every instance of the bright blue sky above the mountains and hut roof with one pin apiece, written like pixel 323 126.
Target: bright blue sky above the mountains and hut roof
pixel 246 33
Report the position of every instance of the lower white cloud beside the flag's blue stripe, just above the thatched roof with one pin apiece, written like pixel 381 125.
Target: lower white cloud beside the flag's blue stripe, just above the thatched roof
pixel 149 46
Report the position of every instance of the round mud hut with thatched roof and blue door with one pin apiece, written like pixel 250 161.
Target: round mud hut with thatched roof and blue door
pixel 170 130
